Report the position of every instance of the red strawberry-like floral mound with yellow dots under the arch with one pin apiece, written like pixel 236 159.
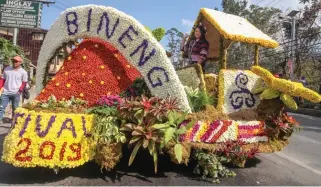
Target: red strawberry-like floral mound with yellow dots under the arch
pixel 93 69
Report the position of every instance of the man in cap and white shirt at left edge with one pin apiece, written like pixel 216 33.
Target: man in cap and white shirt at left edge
pixel 13 81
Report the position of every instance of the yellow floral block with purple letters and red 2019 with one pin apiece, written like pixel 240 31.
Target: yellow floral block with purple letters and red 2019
pixel 49 140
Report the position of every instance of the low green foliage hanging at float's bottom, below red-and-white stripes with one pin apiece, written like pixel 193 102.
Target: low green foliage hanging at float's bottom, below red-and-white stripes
pixel 211 167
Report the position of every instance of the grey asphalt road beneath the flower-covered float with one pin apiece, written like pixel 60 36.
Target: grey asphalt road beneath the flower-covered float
pixel 298 164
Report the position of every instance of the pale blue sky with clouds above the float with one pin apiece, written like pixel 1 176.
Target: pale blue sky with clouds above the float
pixel 180 14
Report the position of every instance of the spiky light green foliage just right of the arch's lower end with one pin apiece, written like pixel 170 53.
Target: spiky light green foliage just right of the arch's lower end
pixel 198 99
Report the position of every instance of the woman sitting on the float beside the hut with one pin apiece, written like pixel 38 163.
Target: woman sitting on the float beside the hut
pixel 196 50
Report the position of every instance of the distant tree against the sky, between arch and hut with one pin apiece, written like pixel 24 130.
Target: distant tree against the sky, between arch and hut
pixel 175 38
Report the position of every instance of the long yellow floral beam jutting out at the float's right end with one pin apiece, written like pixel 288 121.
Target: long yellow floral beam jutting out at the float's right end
pixel 286 86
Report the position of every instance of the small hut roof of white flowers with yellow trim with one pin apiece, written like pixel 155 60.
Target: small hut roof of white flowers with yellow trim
pixel 230 28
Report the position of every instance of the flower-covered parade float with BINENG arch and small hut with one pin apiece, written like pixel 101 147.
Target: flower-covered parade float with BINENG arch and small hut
pixel 118 89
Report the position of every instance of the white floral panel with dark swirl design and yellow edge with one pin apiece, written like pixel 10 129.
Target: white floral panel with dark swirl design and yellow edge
pixel 235 88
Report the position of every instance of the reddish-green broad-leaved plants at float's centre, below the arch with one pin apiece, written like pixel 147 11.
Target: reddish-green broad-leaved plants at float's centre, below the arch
pixel 139 117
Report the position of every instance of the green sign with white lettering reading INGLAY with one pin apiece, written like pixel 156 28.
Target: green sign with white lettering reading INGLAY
pixel 20 14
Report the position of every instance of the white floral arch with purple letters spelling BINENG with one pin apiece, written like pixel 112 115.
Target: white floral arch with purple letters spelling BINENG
pixel 126 34
